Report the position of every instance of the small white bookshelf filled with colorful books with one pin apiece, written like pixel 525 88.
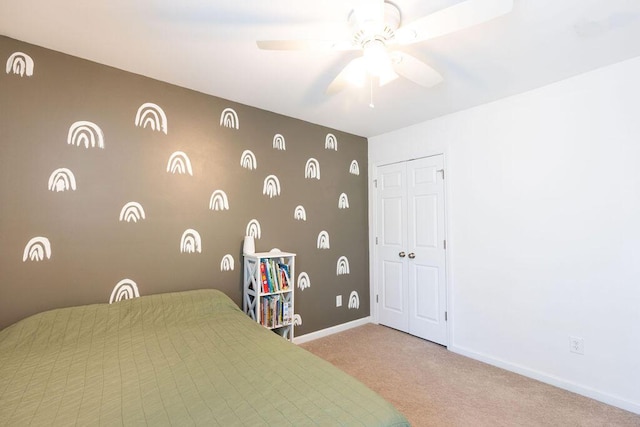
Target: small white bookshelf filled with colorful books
pixel 270 303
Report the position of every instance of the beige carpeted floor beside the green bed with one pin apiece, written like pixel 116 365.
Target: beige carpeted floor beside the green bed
pixel 435 387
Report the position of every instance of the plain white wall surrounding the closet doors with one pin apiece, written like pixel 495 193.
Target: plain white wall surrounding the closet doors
pixel 544 229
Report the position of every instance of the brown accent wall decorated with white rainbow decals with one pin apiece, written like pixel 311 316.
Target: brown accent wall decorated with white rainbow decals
pixel 73 159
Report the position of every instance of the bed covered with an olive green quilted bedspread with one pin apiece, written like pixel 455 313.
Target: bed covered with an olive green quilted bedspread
pixel 184 358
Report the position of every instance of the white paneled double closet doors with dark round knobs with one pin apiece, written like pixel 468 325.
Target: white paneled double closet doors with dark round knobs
pixel 411 254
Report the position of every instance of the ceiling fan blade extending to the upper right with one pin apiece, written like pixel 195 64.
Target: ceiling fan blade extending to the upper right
pixel 451 19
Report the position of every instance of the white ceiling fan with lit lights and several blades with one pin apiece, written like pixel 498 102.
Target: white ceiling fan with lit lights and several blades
pixel 377 29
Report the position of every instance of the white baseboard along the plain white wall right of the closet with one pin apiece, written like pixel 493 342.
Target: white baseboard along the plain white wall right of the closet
pixel 550 379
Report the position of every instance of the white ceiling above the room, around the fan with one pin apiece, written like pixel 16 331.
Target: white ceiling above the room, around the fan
pixel 209 46
